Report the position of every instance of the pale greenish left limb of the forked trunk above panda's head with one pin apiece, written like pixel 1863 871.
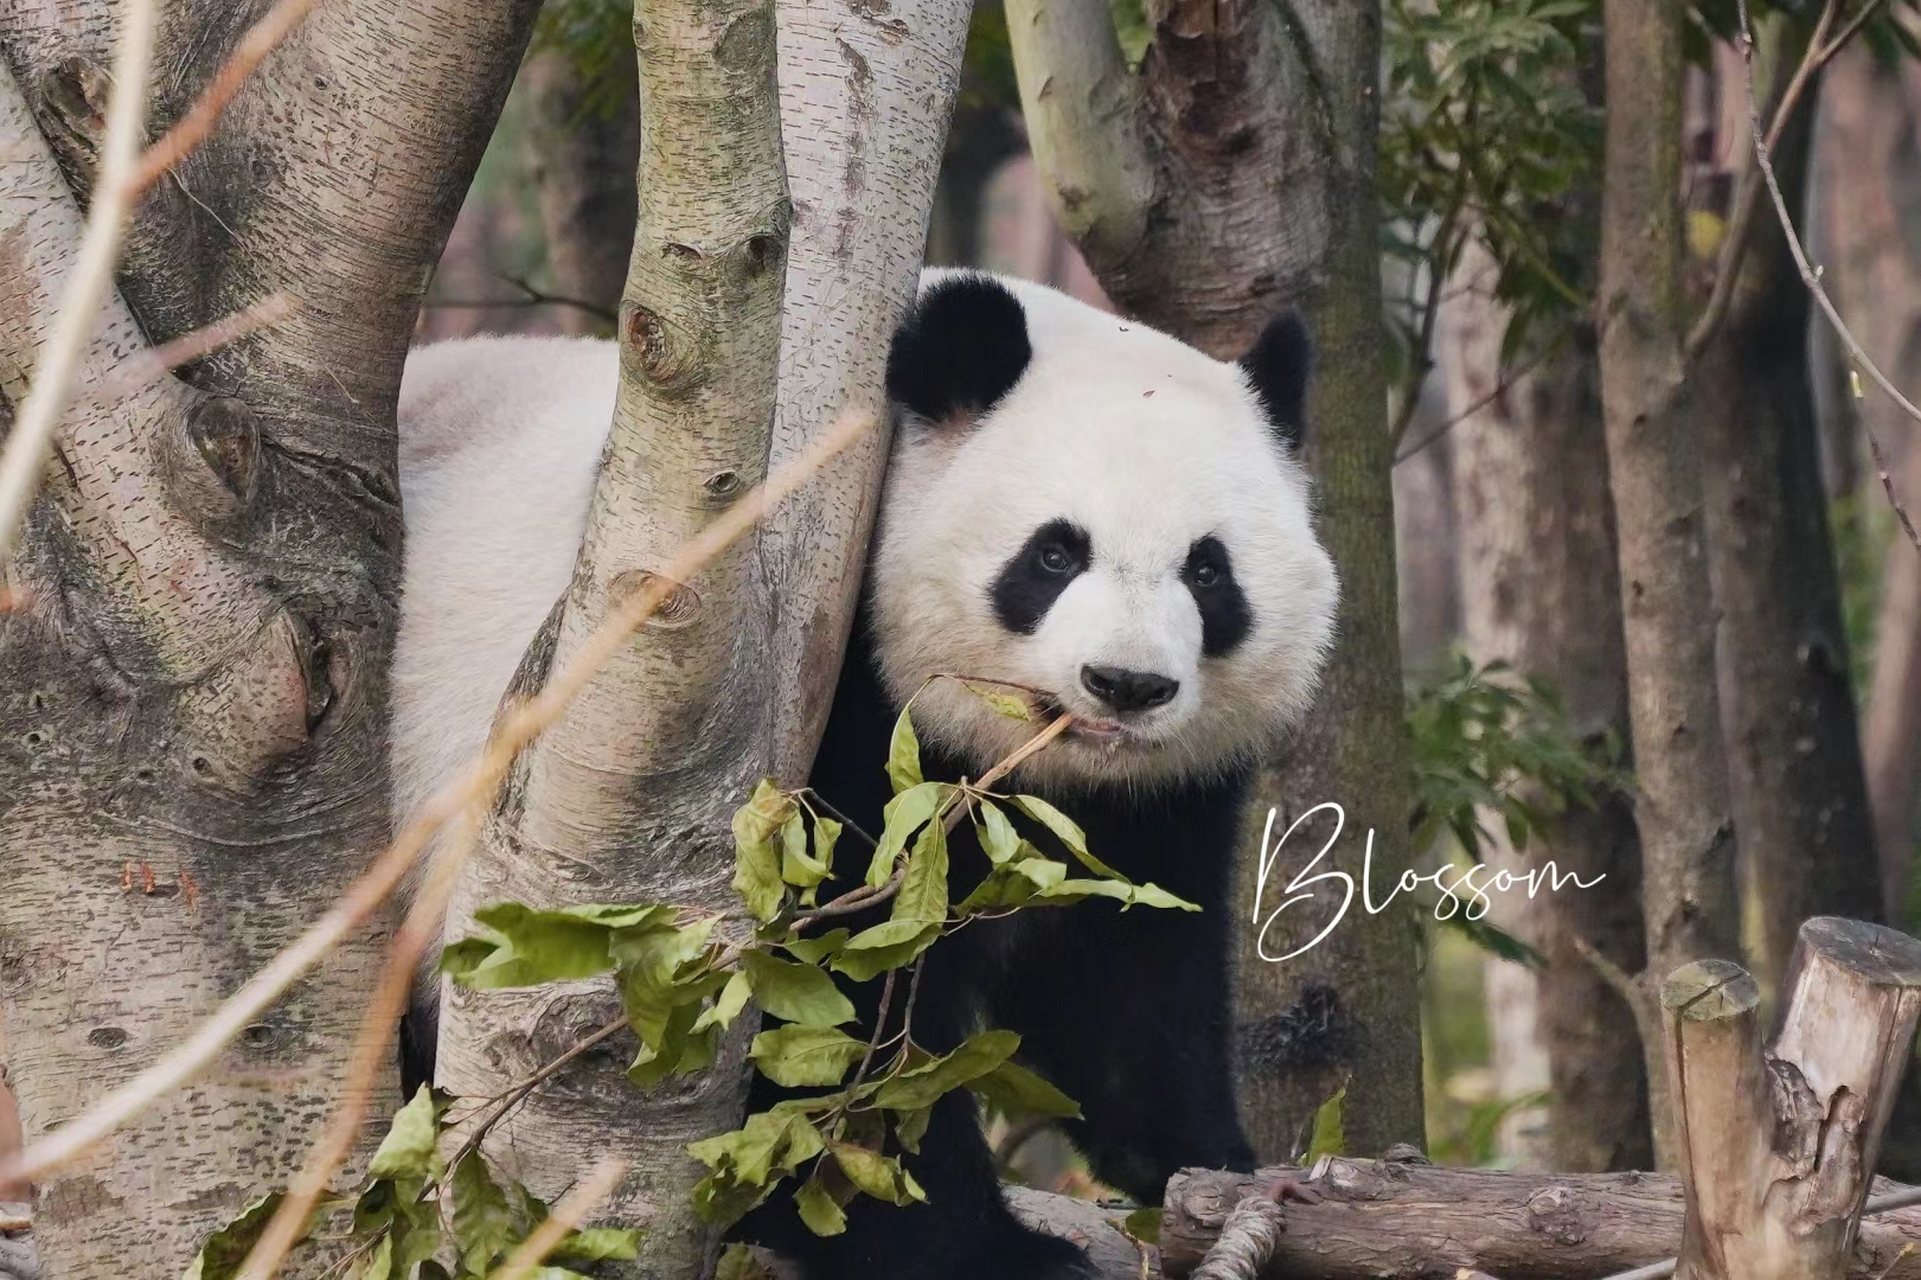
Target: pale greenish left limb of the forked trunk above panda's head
pixel 1082 105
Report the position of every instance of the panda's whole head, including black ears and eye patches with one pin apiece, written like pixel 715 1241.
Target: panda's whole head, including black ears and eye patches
pixel 1092 508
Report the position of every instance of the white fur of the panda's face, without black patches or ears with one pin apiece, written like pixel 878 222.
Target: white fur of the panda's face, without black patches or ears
pixel 1148 445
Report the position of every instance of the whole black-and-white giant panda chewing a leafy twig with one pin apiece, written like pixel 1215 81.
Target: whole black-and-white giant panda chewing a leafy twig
pixel 1077 505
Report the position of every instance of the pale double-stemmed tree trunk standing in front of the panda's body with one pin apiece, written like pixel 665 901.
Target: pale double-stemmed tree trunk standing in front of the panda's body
pixel 721 382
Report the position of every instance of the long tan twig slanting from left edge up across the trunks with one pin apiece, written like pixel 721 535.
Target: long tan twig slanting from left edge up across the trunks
pixel 360 900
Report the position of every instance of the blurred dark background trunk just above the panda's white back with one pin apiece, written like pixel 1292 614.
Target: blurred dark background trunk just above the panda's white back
pixel 581 147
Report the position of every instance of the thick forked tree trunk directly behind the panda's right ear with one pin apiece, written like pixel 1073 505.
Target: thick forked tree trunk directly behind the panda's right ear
pixel 1234 176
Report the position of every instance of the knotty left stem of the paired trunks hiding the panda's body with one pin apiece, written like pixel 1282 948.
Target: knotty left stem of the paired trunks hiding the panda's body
pixel 637 787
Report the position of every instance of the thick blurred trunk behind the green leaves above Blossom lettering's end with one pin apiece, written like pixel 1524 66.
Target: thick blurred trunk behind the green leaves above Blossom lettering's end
pixel 1542 593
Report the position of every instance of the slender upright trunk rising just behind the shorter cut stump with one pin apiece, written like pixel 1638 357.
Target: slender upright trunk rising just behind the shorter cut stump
pixel 1682 808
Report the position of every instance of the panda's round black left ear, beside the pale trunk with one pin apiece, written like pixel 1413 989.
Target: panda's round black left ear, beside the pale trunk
pixel 961 349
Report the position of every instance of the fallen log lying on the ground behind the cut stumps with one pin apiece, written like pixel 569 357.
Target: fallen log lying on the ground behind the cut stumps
pixel 1415 1221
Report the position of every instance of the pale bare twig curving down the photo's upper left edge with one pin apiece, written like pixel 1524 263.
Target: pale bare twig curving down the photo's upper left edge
pixel 89 282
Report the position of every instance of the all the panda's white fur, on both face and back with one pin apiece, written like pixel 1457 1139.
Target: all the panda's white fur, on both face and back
pixel 1136 437
